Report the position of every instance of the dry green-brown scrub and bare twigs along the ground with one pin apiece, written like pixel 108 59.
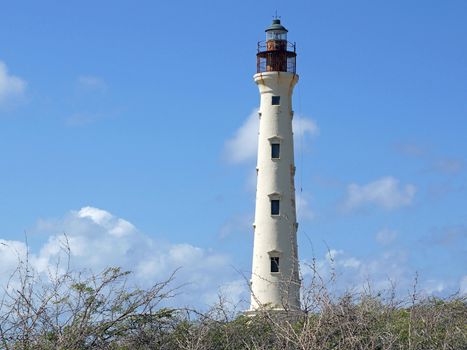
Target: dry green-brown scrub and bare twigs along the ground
pixel 74 312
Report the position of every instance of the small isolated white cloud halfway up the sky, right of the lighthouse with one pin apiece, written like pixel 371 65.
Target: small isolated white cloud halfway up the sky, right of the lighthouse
pixel 385 192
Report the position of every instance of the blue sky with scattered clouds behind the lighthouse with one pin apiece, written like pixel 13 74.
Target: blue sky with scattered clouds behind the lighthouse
pixel 129 125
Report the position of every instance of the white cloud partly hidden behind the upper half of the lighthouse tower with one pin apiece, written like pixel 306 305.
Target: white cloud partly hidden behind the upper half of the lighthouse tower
pixel 243 146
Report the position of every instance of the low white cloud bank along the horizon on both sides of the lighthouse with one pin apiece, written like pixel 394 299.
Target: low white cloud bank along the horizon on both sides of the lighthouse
pixel 98 239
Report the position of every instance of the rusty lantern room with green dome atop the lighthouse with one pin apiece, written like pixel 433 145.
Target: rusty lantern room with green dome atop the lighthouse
pixel 276 54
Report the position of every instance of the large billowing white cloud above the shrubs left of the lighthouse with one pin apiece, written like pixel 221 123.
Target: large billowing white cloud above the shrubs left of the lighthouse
pixel 97 239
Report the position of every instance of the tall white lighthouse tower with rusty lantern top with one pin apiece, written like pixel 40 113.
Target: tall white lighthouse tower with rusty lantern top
pixel 275 282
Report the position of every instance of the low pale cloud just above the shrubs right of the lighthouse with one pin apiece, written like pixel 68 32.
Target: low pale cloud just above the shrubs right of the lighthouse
pixel 388 271
